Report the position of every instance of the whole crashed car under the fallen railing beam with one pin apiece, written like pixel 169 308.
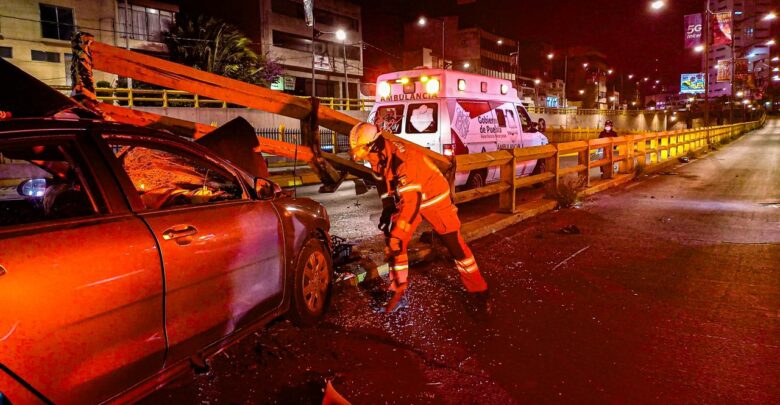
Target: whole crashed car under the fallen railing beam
pixel 129 254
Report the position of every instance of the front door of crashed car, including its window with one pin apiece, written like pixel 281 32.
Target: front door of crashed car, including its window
pixel 222 251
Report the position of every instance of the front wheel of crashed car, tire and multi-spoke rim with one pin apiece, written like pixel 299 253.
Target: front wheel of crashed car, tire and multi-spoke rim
pixel 312 284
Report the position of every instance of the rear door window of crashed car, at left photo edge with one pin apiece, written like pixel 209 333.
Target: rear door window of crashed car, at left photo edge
pixel 41 182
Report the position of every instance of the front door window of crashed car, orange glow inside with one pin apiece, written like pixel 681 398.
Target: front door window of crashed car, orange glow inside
pixel 167 178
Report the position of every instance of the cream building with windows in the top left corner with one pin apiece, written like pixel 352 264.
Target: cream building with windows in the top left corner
pixel 36 35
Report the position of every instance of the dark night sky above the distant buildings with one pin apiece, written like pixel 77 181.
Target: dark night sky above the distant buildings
pixel 627 31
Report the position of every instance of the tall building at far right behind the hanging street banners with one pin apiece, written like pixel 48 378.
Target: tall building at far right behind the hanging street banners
pixel 751 34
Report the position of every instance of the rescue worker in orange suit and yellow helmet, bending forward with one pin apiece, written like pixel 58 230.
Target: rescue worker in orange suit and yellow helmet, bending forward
pixel 413 189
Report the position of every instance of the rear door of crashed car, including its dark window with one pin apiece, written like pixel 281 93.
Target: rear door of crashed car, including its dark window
pixel 81 304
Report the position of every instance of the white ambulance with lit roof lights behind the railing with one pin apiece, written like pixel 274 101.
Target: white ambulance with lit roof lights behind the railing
pixel 454 113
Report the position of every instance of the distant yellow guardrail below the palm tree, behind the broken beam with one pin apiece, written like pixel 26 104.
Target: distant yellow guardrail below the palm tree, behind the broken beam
pixel 176 98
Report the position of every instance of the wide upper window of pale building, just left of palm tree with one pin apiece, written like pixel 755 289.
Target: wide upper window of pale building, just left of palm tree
pixel 146 23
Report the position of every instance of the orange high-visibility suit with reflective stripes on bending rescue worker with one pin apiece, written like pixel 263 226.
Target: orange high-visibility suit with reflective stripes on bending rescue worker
pixel 420 191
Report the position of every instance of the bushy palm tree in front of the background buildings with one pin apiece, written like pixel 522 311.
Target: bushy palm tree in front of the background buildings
pixel 214 46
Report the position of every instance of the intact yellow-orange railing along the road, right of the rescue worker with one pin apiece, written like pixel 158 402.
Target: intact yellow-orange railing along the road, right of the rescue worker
pixel 619 155
